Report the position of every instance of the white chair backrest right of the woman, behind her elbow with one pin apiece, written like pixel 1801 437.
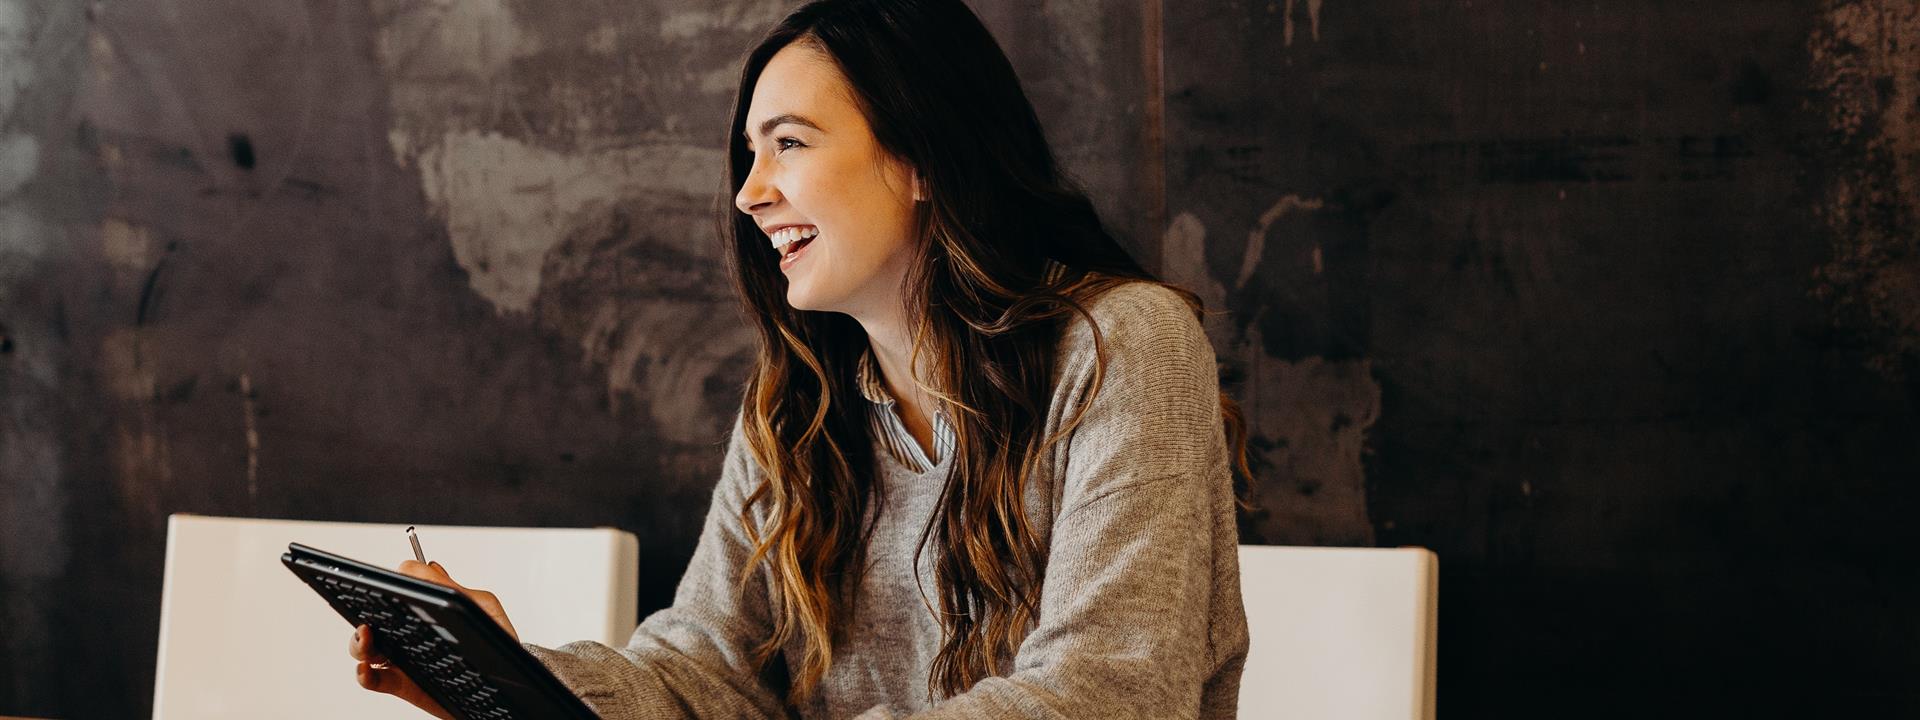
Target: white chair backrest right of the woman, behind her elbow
pixel 1339 633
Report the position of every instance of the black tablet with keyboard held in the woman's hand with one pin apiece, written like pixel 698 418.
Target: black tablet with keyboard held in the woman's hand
pixel 439 638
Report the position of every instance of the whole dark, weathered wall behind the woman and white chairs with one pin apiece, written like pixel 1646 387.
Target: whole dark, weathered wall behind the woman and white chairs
pixel 1616 306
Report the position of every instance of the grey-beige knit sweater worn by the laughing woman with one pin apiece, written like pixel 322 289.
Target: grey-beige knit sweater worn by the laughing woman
pixel 1141 606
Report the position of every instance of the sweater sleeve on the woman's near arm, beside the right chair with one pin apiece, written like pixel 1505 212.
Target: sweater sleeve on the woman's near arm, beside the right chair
pixel 1126 621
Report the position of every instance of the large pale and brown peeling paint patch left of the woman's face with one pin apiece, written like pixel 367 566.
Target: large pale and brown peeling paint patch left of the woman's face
pixel 579 199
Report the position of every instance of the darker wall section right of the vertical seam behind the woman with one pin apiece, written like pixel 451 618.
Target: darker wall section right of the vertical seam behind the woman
pixel 1552 277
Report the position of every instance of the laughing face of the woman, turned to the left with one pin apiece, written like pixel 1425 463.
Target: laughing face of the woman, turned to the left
pixel 817 166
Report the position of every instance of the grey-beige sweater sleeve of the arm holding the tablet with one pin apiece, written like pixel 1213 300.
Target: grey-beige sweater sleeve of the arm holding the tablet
pixel 696 658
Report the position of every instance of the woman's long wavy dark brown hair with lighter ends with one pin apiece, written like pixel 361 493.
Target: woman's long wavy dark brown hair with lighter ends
pixel 986 320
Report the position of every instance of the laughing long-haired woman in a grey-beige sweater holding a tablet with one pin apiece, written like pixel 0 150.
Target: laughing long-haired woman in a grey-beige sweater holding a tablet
pixel 982 466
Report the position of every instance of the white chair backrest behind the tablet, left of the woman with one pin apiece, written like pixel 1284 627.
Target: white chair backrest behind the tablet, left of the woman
pixel 245 638
